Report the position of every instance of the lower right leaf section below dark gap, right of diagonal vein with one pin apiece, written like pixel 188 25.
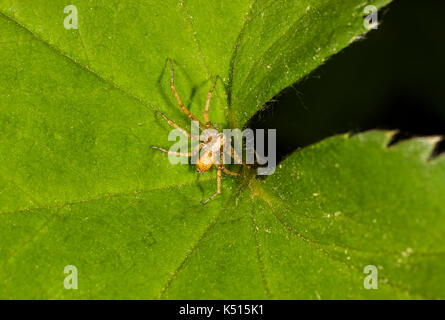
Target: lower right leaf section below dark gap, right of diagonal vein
pixel 309 230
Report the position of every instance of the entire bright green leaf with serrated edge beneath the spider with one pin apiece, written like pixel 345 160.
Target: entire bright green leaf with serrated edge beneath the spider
pixel 80 186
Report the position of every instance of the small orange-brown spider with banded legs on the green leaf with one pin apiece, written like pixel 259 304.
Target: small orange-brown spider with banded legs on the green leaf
pixel 211 144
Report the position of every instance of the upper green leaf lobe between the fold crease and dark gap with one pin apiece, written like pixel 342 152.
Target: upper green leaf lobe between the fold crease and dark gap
pixel 282 41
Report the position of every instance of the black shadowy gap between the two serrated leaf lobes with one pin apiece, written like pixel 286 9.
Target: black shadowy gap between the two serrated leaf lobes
pixel 392 79
